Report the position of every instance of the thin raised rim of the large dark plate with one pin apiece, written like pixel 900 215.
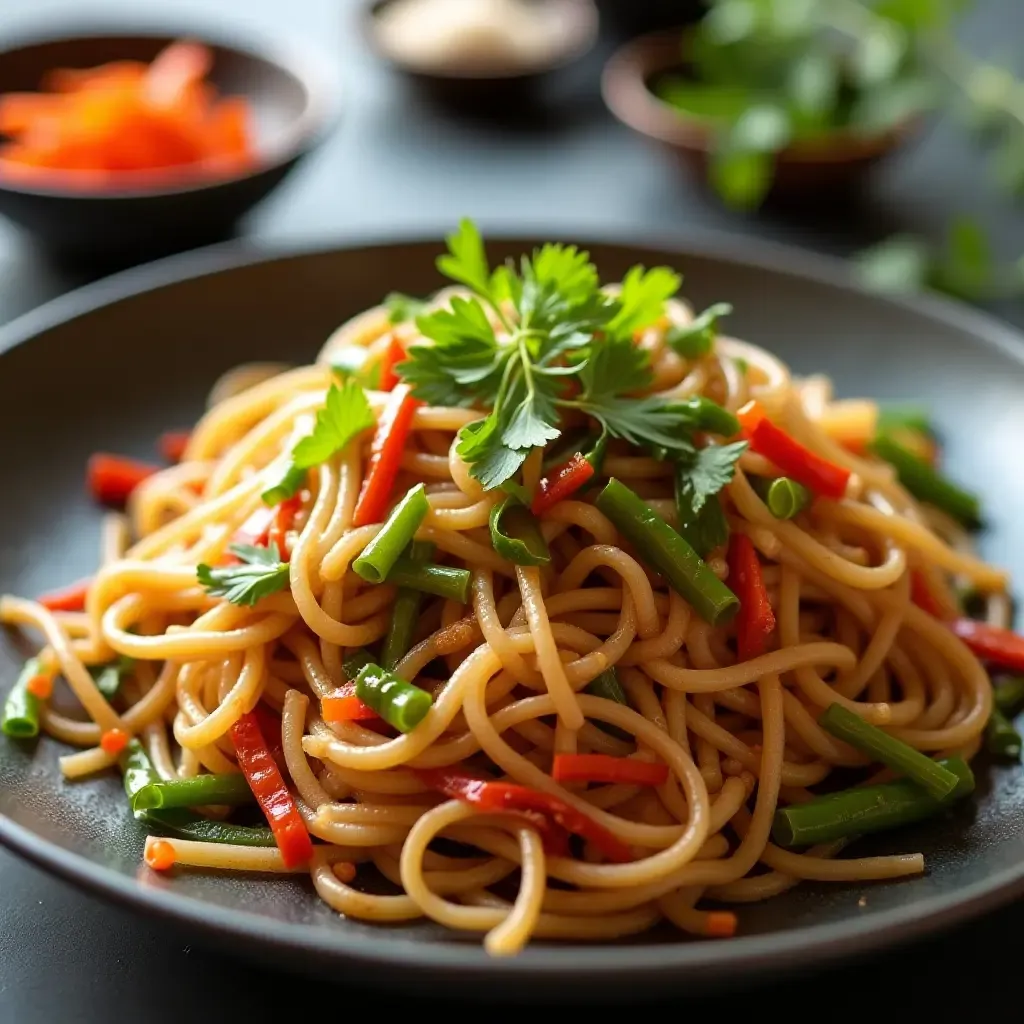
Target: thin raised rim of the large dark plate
pixel 664 965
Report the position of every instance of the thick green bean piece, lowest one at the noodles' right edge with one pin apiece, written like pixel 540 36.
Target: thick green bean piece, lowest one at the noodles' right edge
pixel 866 809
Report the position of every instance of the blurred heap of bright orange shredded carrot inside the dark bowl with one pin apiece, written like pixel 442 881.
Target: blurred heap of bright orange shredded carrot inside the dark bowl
pixel 126 116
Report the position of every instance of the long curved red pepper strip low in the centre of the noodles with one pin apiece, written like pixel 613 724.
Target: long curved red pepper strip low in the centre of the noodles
pixel 508 798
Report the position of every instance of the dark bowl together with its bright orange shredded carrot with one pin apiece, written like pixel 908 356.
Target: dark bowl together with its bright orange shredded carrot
pixel 140 145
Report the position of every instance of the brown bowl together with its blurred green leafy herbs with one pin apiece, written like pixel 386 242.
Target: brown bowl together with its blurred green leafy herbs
pixel 775 98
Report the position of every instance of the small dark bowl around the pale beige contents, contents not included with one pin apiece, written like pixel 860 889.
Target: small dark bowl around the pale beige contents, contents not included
pixel 497 91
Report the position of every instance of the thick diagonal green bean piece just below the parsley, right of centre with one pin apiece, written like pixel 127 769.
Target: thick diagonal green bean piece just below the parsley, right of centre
pixel 665 550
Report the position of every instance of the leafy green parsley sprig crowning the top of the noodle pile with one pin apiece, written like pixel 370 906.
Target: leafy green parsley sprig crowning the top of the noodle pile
pixel 538 339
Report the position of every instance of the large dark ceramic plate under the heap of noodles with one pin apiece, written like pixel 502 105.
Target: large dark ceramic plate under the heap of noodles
pixel 115 365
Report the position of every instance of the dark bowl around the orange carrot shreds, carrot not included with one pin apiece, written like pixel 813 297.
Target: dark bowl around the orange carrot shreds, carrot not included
pixel 294 106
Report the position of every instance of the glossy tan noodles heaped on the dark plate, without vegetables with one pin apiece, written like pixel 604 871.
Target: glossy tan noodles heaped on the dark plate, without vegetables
pixel 740 740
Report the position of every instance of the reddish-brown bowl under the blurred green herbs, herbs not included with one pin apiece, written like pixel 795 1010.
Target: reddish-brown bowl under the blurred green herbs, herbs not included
pixel 807 172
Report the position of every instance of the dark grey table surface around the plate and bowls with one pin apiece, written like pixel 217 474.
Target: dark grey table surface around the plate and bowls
pixel 399 166
